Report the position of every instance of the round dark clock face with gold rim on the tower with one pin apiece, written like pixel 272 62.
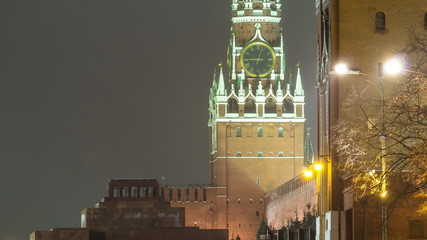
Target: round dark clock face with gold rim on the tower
pixel 258 59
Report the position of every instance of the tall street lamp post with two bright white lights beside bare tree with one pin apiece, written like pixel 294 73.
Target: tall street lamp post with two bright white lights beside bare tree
pixel 391 67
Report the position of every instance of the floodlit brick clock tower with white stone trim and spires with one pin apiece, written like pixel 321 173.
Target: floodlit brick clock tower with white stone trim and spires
pixel 256 118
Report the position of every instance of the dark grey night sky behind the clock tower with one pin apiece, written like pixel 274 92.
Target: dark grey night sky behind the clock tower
pixel 93 90
